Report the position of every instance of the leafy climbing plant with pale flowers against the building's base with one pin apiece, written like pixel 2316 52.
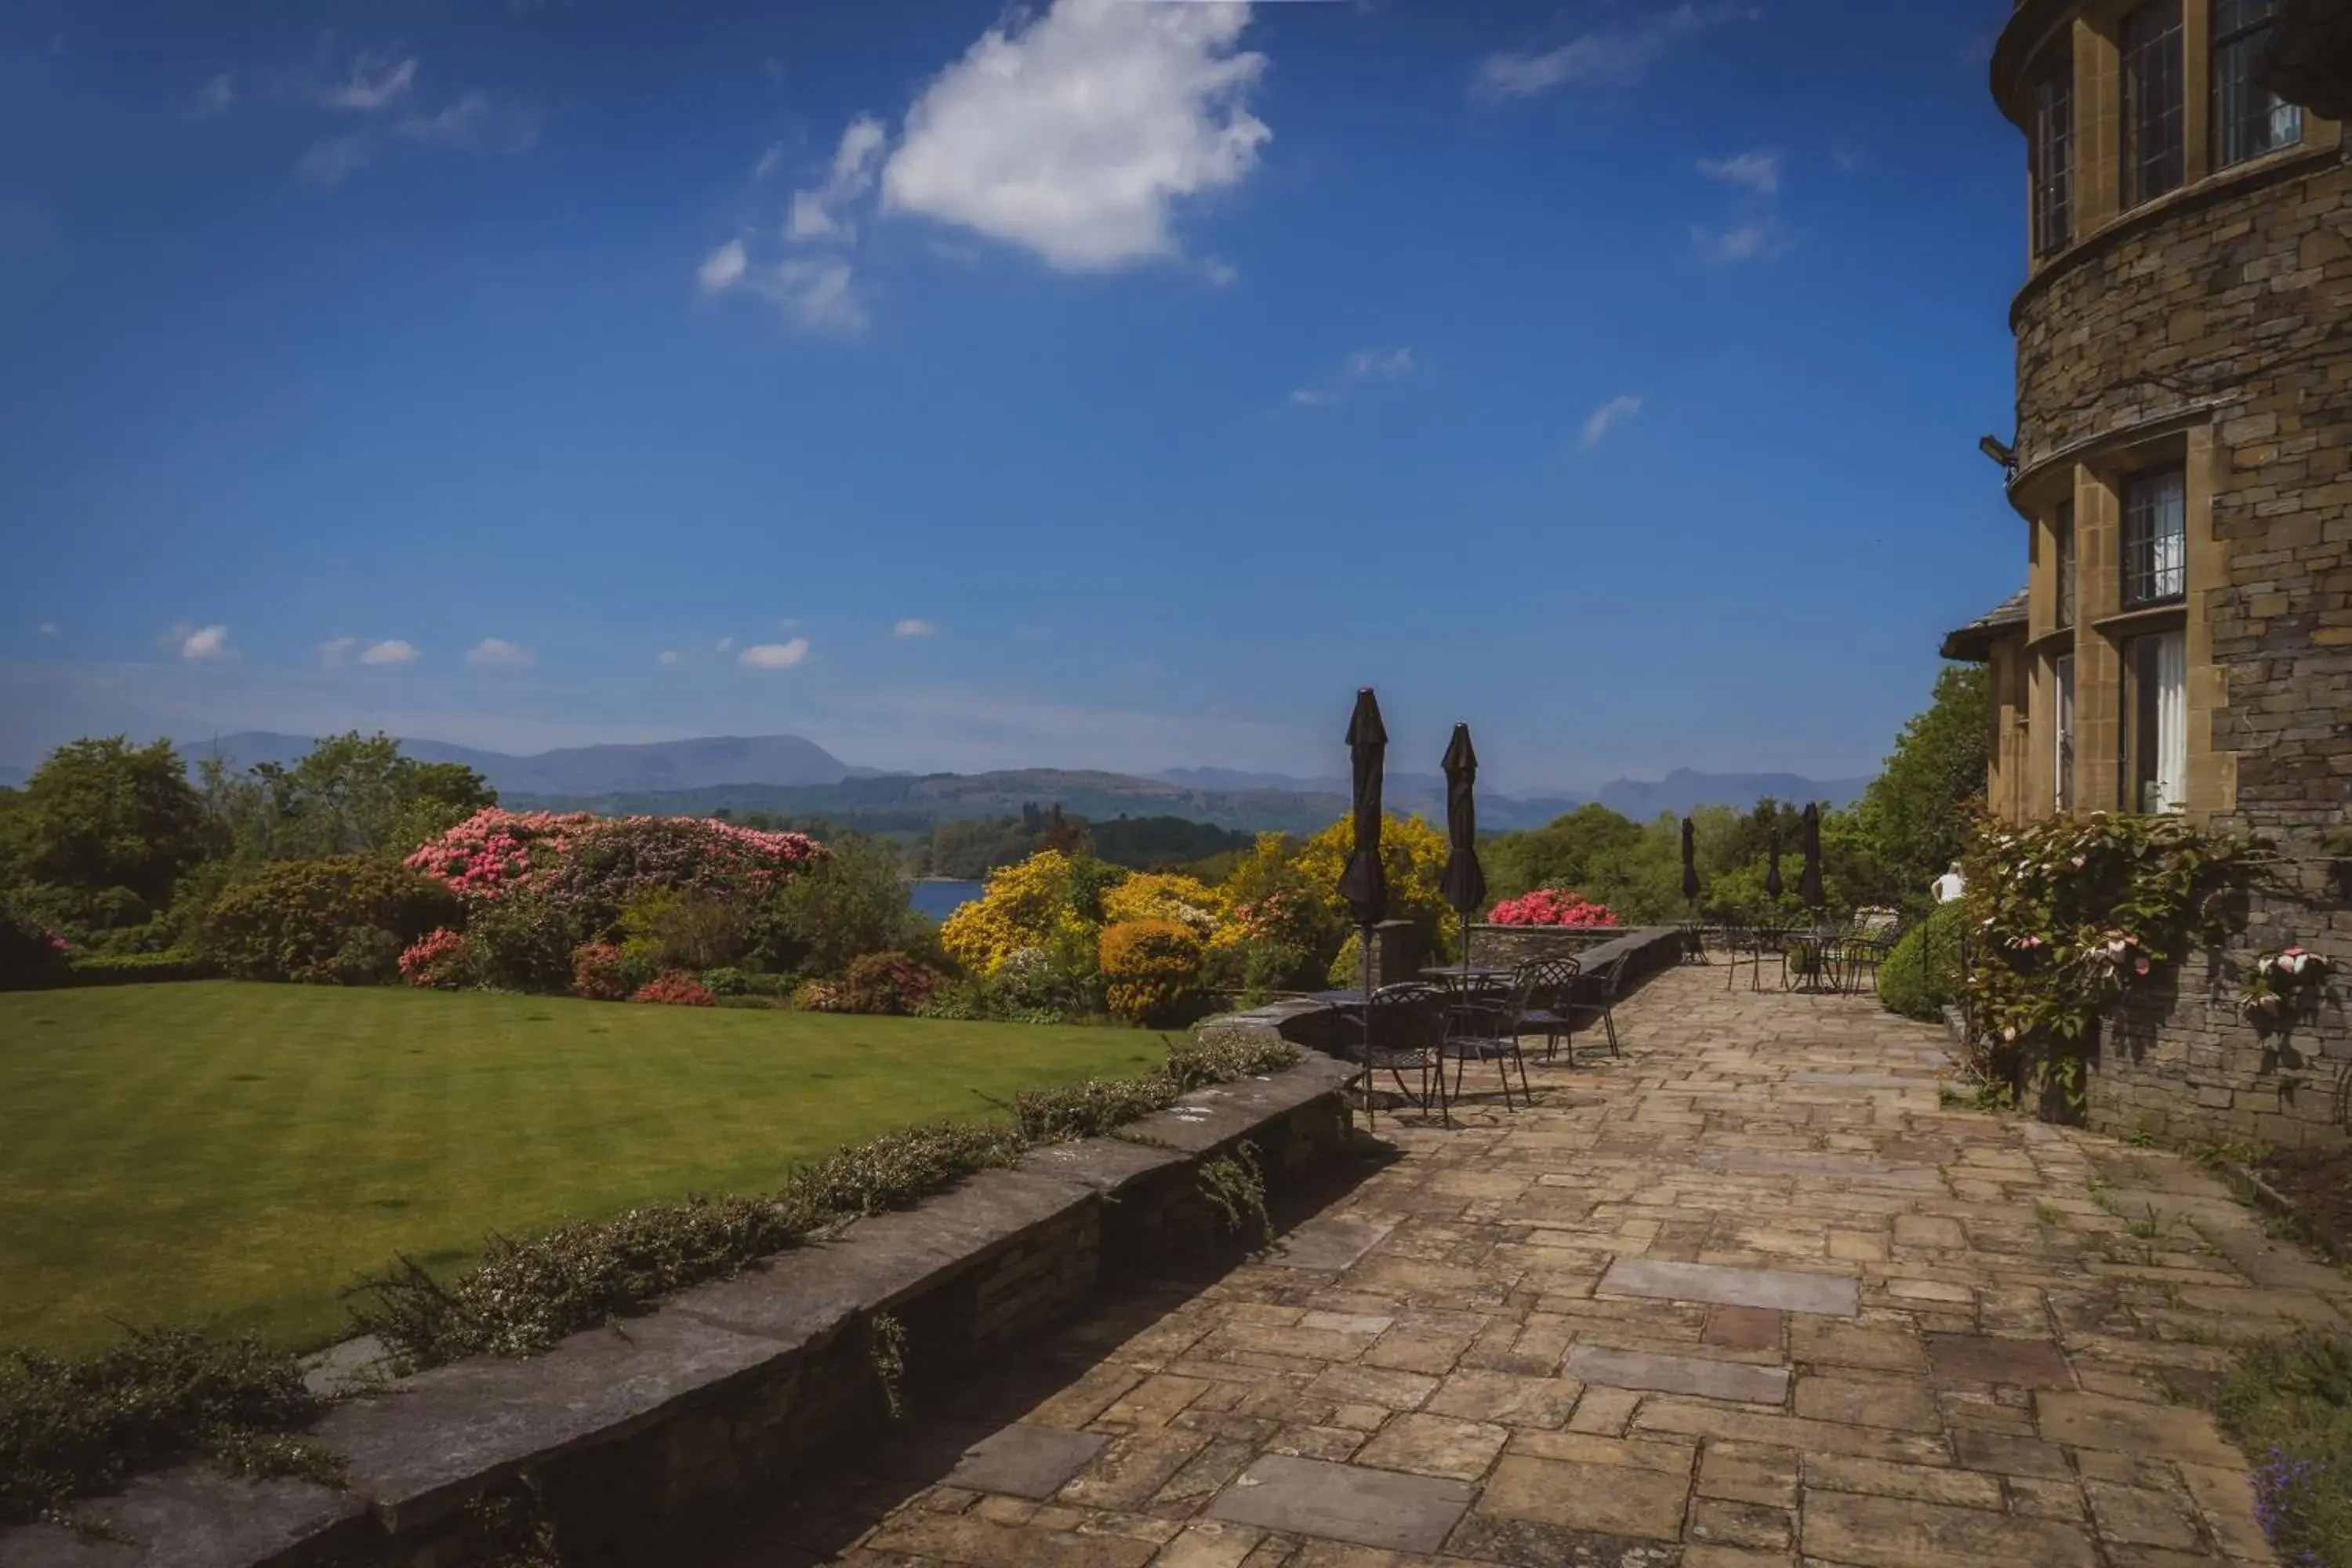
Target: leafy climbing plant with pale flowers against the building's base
pixel 2071 916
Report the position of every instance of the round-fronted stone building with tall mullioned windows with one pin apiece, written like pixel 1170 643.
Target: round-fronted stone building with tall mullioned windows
pixel 2184 467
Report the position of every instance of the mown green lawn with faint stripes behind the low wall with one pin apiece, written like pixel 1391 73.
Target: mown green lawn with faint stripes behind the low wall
pixel 236 1153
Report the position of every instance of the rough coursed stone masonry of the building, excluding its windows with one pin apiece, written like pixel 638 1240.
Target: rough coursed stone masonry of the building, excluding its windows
pixel 2233 311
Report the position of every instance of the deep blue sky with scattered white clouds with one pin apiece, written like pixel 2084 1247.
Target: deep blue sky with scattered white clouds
pixel 1100 384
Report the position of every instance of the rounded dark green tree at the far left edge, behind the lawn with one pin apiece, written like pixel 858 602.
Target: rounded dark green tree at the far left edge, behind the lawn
pixel 102 831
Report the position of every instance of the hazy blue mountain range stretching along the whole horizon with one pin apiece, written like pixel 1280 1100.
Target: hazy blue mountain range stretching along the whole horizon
pixel 794 777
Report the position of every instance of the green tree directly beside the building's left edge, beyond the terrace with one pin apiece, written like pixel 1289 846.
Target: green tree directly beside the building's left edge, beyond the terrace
pixel 1918 810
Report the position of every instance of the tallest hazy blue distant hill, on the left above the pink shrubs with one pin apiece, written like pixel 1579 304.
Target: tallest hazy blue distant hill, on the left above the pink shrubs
pixel 592 770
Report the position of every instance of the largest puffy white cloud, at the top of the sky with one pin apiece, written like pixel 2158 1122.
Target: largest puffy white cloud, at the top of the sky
pixel 1074 135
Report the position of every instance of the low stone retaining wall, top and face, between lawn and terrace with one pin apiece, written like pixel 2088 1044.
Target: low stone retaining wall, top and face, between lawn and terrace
pixel 624 1435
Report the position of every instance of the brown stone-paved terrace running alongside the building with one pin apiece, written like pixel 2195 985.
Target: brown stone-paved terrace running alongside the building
pixel 1746 1296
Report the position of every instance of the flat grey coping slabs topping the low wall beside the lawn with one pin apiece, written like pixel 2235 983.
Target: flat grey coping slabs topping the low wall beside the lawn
pixel 429 1442
